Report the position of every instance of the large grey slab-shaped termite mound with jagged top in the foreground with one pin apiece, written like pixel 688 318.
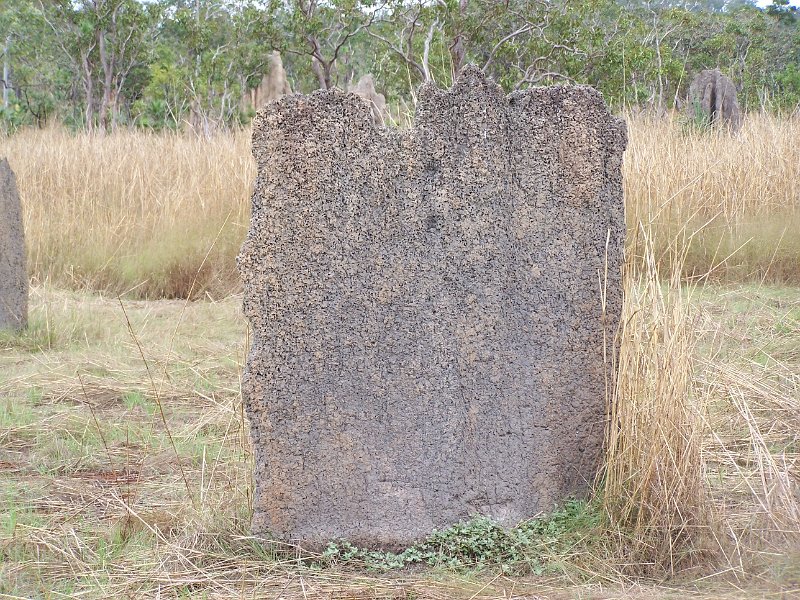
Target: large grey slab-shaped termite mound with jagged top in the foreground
pixel 427 308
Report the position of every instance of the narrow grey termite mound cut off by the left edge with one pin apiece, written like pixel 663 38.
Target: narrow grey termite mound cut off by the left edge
pixel 13 275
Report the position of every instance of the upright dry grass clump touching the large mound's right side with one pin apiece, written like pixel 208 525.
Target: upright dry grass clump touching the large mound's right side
pixel 653 489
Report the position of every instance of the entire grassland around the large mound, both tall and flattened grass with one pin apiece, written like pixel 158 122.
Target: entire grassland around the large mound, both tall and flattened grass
pixel 124 453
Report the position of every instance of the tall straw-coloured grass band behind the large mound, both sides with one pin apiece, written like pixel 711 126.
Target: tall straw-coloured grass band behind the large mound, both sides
pixel 137 213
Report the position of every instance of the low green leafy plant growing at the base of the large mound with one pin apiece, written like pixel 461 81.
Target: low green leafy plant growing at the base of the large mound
pixel 534 546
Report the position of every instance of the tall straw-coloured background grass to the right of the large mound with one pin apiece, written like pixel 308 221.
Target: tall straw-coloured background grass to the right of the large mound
pixel 733 201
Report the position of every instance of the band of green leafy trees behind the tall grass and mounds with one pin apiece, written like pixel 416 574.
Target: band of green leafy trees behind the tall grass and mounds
pixel 168 63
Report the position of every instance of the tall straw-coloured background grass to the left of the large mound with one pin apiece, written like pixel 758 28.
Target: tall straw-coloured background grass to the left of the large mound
pixel 151 215
